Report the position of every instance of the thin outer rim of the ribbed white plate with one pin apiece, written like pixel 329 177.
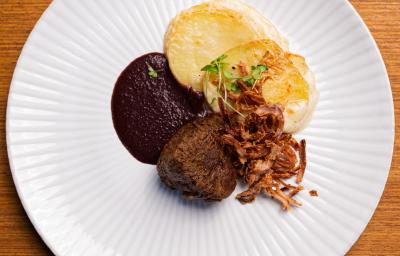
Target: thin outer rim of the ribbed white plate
pixel 17 68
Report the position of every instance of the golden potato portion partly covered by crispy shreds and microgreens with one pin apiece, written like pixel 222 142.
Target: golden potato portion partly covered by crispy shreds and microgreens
pixel 285 84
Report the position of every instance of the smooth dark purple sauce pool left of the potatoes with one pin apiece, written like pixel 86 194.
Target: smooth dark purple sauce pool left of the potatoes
pixel 147 111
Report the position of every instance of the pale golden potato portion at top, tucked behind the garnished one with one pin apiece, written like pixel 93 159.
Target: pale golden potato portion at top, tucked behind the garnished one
pixel 202 33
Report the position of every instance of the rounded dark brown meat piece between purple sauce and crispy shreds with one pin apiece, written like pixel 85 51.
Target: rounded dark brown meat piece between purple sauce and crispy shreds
pixel 195 162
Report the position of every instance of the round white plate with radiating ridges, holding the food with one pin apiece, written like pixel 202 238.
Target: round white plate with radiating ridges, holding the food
pixel 86 195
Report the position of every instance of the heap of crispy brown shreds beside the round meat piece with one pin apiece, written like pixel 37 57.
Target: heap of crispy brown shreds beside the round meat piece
pixel 264 154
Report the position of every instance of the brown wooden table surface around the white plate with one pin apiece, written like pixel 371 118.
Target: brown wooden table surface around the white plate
pixel 18 237
